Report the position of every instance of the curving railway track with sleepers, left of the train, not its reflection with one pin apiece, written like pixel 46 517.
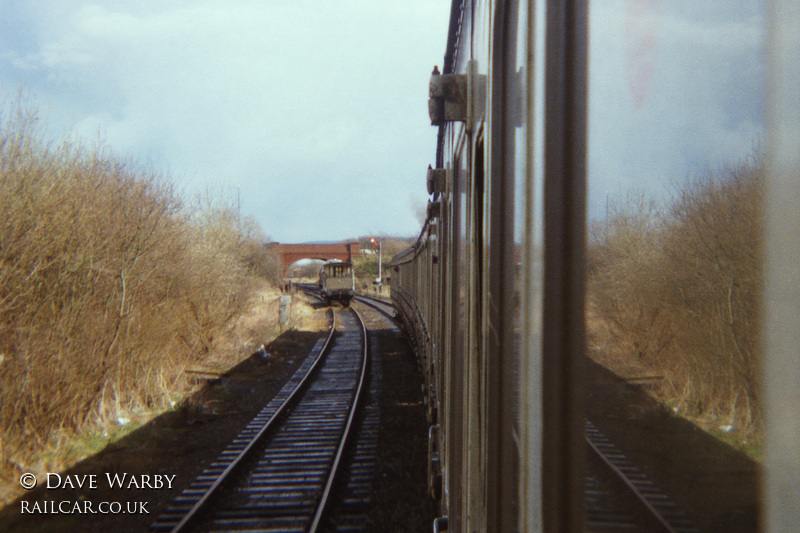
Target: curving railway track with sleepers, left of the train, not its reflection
pixel 279 473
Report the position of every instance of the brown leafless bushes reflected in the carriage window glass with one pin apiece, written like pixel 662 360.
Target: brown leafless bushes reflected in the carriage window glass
pixel 675 289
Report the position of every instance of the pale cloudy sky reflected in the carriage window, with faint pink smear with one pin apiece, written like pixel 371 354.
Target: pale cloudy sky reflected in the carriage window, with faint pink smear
pixel 676 91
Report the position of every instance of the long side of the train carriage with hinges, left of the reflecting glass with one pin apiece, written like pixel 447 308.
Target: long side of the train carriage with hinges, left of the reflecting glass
pixel 458 288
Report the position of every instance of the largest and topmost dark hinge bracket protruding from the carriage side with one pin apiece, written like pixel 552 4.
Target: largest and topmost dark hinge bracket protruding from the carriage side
pixel 456 97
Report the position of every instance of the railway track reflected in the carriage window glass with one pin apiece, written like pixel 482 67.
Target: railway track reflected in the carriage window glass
pixel 620 497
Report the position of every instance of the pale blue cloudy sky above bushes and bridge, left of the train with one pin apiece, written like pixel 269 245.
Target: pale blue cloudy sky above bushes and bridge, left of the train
pixel 302 105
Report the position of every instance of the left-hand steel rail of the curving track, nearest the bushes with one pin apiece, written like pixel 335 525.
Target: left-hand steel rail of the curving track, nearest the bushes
pixel 200 505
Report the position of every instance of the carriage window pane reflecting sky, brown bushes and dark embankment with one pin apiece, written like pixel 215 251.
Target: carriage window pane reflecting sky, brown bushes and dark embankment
pixel 675 171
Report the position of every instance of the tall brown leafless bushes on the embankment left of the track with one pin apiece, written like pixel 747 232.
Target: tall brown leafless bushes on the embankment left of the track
pixel 109 288
